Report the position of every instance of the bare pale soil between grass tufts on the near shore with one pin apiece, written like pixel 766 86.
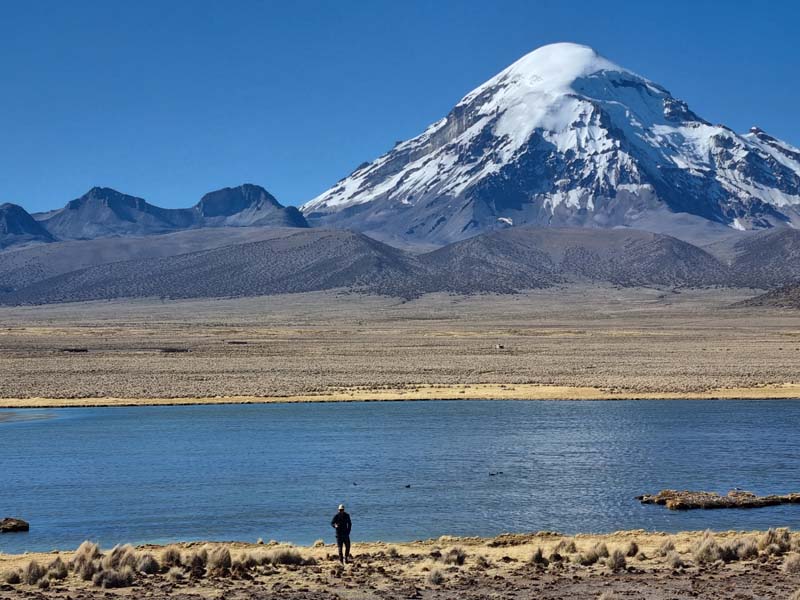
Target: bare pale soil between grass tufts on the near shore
pixel 493 568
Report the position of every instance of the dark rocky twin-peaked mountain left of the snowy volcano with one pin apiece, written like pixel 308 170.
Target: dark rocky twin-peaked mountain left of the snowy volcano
pixel 104 212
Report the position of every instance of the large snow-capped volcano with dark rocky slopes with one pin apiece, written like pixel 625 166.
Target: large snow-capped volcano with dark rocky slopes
pixel 564 137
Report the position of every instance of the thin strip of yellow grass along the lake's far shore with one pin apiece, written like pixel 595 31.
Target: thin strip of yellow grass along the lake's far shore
pixel 787 391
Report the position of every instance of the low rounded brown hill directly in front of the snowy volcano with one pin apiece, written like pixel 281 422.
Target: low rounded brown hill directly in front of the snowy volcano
pixel 529 257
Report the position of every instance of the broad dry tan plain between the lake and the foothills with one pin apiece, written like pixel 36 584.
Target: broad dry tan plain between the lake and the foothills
pixel 573 342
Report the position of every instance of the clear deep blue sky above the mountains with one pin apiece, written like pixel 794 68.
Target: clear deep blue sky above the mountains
pixel 170 99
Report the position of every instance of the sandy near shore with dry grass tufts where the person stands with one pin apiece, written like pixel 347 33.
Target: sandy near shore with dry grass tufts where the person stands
pixel 658 565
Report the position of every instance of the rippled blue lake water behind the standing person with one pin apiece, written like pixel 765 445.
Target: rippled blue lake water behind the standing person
pixel 158 474
